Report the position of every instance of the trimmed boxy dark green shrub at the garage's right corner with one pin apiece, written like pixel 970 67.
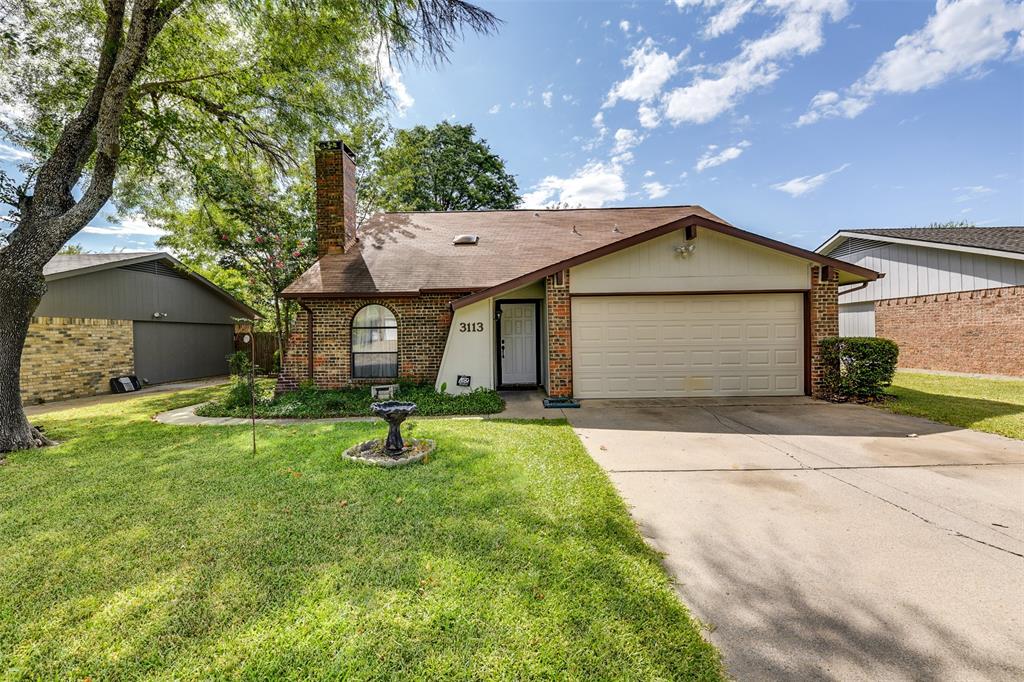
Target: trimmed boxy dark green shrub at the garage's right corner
pixel 859 368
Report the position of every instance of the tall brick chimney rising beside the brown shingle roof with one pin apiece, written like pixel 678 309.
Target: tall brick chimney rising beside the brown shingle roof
pixel 335 198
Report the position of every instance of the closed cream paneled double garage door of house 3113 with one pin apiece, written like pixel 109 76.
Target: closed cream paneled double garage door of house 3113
pixel 668 347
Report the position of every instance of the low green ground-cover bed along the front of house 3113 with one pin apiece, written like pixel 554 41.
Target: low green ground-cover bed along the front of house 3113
pixel 314 403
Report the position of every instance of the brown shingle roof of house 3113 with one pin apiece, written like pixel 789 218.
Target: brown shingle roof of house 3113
pixel 412 253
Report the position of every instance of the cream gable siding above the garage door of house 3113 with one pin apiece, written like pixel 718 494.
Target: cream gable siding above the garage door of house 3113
pixel 718 264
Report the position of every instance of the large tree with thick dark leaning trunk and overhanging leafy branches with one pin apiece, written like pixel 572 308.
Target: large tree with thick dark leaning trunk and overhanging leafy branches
pixel 117 100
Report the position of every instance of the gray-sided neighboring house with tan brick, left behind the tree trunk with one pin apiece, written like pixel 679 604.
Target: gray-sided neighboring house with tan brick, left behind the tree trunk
pixel 121 314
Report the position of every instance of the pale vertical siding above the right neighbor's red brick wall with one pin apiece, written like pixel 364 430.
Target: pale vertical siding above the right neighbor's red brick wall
pixel 915 271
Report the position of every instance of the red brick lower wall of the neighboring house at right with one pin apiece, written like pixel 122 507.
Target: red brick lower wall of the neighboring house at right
pixel 971 331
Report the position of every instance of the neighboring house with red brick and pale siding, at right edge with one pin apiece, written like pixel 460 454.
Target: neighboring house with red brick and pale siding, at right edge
pixel 953 299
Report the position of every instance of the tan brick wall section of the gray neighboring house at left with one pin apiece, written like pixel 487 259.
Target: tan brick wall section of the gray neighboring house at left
pixel 68 358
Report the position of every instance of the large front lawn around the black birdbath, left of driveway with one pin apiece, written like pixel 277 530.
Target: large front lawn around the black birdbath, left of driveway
pixel 143 550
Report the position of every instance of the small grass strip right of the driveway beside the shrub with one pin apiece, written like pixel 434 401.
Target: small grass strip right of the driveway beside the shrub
pixel 985 405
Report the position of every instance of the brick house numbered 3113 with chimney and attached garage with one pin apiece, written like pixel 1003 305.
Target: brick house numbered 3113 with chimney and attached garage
pixel 620 303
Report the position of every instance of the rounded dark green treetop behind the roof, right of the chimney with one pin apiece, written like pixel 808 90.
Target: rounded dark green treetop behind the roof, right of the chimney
pixel 445 168
